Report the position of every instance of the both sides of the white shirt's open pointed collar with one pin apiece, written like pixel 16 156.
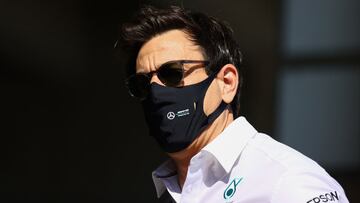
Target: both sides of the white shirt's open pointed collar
pixel 226 148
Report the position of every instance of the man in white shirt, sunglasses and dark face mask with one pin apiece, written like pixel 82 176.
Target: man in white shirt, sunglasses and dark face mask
pixel 185 68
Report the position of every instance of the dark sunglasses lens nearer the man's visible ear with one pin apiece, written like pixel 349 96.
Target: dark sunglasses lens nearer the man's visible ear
pixel 171 74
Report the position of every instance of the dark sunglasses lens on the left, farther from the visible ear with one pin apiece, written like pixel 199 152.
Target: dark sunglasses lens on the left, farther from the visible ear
pixel 138 85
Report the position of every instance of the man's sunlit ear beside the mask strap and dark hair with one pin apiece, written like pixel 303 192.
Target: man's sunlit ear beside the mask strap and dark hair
pixel 228 82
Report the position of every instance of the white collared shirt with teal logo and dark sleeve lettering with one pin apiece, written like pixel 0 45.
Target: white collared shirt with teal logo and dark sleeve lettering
pixel 242 165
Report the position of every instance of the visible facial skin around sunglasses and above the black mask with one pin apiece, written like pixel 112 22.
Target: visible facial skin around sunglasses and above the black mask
pixel 175 45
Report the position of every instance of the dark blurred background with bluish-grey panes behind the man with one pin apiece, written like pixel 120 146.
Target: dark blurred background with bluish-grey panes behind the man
pixel 70 132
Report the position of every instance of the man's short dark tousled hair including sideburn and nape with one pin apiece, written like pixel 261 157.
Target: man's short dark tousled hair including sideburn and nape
pixel 213 36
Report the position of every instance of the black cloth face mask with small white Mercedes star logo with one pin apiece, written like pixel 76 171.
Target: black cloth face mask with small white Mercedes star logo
pixel 175 116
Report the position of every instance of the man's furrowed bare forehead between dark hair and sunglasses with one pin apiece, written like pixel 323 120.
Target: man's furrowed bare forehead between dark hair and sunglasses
pixel 168 46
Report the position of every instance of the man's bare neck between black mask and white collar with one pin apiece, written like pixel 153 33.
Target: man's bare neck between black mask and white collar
pixel 182 158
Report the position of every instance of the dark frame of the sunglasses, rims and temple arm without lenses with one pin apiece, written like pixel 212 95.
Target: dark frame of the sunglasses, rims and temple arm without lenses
pixel 149 74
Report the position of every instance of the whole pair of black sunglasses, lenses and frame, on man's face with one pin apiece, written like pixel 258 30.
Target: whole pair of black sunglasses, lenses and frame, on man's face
pixel 170 74
